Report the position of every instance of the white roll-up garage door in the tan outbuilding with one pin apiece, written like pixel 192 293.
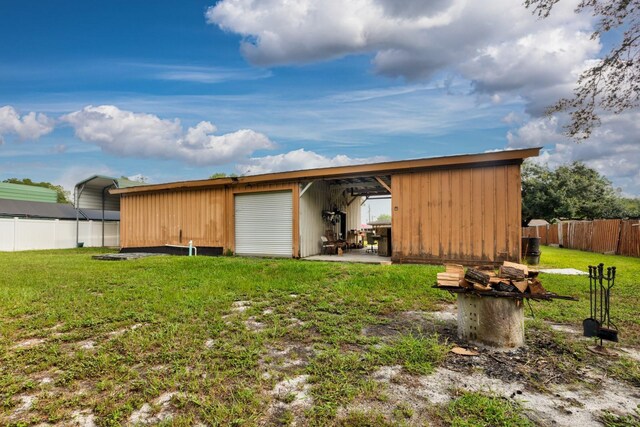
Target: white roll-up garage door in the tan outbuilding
pixel 264 224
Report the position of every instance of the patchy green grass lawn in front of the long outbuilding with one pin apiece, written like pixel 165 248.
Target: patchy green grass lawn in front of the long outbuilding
pixel 107 337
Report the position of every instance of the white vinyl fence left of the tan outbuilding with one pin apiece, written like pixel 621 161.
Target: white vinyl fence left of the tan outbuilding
pixel 19 234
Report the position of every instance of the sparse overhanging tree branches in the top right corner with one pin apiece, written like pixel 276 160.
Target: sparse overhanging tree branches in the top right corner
pixel 613 83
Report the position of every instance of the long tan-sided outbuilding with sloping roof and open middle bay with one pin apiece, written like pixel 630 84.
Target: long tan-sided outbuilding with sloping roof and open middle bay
pixel 464 208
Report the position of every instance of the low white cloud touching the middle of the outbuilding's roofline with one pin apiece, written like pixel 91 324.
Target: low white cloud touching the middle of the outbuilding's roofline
pixel 298 160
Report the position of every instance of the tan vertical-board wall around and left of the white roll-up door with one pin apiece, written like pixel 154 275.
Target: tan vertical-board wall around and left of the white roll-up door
pixel 205 216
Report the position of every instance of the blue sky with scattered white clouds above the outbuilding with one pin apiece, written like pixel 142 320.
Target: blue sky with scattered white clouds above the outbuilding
pixel 122 87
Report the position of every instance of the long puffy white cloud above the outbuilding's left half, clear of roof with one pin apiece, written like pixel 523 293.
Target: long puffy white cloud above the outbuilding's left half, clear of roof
pixel 129 134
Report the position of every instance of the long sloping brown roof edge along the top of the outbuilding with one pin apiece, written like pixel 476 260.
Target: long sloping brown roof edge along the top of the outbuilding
pixel 372 169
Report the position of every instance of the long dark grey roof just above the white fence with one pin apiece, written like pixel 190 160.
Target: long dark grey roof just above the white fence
pixel 28 209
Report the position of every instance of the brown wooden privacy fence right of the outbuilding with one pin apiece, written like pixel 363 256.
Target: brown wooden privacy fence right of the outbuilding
pixel 614 236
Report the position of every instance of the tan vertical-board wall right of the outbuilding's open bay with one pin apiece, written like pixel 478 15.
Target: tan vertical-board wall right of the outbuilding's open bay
pixel 463 215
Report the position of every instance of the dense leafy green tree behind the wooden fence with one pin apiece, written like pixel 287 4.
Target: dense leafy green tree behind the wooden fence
pixel 571 191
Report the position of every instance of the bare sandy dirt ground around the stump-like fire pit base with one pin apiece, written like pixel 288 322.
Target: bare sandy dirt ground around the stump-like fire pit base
pixel 547 376
